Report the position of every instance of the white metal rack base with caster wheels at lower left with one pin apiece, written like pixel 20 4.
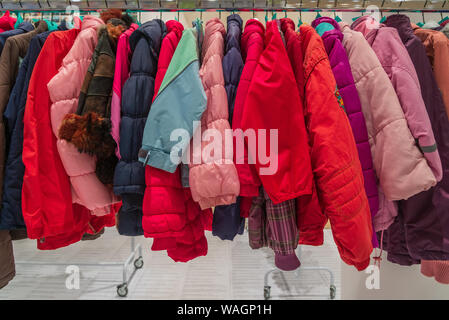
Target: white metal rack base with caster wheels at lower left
pixel 134 257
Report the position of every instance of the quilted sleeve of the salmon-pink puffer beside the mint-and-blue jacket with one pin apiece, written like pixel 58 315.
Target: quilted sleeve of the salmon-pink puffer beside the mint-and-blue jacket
pixel 213 180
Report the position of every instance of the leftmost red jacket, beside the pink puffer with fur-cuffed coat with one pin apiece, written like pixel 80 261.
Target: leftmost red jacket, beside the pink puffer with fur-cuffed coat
pixel 46 195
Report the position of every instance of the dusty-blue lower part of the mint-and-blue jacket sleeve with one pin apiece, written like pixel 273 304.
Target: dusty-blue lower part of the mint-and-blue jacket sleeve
pixel 187 100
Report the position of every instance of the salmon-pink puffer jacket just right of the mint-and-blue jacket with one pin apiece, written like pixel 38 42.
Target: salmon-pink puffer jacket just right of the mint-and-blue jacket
pixel 214 182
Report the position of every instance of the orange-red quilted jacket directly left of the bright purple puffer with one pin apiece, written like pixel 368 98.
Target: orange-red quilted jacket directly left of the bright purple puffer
pixel 336 166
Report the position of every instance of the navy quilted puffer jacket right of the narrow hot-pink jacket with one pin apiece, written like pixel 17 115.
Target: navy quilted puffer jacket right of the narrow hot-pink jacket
pixel 137 95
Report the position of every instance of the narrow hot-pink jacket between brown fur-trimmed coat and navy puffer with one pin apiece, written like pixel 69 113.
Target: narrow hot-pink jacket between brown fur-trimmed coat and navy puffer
pixel 121 74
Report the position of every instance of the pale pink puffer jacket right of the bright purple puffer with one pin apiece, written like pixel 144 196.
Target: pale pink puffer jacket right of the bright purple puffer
pixel 400 166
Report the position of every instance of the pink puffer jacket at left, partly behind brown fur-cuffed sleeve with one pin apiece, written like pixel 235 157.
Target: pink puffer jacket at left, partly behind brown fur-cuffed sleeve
pixel 64 89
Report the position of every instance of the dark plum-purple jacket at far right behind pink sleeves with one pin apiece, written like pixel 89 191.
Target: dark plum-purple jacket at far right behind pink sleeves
pixel 421 230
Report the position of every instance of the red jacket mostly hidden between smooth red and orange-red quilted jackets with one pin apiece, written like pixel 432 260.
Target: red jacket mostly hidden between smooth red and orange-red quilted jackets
pixel 311 220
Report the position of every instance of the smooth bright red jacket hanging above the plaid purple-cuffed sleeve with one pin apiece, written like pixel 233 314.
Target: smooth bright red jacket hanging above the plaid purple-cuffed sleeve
pixel 273 103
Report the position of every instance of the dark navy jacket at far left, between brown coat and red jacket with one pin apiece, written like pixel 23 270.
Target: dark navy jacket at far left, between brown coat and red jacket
pixel 11 211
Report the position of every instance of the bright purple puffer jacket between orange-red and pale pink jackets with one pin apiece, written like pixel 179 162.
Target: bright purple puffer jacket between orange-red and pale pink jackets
pixel 329 31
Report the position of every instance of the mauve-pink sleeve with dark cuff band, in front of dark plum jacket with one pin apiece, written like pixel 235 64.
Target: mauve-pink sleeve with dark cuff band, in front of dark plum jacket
pixel 406 83
